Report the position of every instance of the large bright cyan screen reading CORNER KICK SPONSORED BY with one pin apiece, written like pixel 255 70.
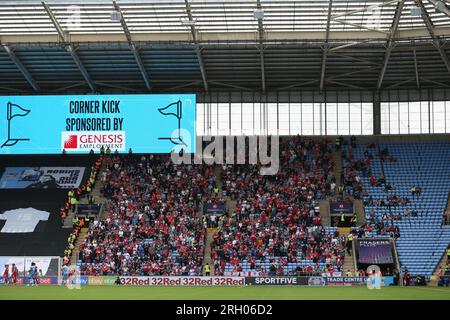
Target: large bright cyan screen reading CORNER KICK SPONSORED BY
pixel 49 124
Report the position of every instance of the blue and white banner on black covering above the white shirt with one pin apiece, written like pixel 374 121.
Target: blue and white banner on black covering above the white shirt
pixel 42 177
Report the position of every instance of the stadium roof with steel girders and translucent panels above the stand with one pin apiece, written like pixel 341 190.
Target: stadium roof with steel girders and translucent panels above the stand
pixel 169 46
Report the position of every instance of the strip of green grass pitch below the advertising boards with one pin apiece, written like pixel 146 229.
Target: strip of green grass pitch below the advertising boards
pixel 223 293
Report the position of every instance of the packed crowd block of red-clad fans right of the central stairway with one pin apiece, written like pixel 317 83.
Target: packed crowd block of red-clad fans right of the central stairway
pixel 277 217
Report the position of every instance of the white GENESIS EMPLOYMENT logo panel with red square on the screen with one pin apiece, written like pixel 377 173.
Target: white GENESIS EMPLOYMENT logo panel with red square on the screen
pixel 85 141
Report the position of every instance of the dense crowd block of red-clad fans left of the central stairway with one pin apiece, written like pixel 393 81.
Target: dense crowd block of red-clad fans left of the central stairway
pixel 152 226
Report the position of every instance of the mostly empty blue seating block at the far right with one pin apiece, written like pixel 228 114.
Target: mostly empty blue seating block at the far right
pixel 394 170
